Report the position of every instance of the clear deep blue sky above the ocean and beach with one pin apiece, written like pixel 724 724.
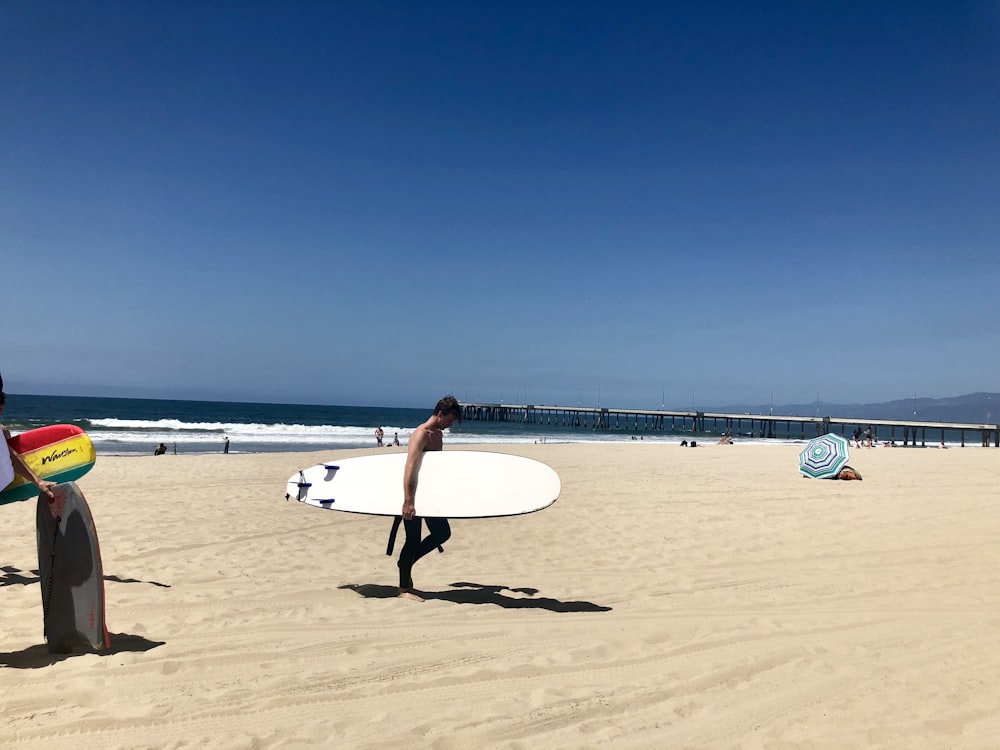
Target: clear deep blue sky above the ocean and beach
pixel 380 202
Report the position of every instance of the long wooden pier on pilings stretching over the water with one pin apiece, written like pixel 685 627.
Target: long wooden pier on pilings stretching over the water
pixel 747 425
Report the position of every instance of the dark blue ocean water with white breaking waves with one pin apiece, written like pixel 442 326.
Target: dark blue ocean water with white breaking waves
pixel 128 426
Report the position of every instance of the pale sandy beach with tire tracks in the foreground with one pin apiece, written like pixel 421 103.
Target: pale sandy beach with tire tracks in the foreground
pixel 671 598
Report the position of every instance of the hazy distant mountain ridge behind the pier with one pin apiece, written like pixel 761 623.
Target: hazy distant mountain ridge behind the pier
pixel 972 408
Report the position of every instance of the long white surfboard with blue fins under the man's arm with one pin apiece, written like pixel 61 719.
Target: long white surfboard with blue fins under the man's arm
pixel 451 484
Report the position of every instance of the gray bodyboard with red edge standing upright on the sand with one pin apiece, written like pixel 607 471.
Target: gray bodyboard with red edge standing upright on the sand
pixel 72 577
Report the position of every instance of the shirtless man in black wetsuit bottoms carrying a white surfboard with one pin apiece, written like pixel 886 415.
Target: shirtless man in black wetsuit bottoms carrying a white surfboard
pixel 427 437
